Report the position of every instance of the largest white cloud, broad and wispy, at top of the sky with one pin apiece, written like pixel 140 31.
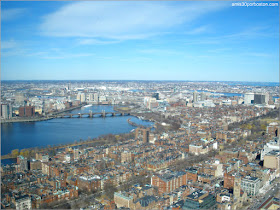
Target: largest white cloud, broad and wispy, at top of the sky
pixel 123 20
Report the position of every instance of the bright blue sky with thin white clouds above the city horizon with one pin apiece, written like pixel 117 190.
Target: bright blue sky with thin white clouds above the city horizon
pixel 158 40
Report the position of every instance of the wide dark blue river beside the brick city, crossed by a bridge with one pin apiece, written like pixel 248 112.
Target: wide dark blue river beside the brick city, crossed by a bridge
pixel 64 131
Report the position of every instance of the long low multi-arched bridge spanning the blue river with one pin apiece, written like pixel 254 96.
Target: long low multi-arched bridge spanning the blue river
pixel 91 115
